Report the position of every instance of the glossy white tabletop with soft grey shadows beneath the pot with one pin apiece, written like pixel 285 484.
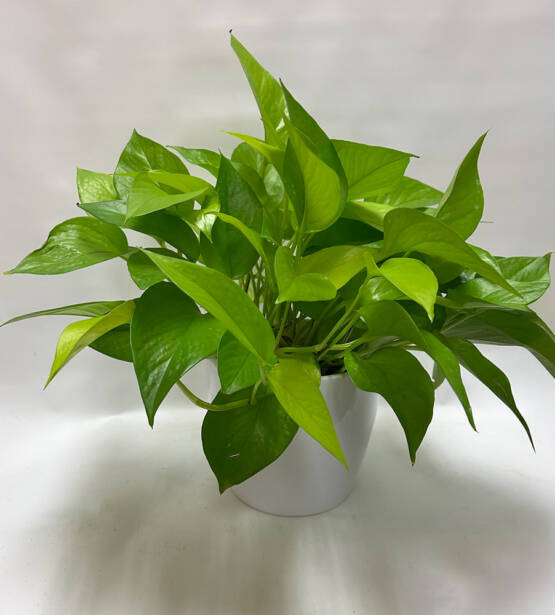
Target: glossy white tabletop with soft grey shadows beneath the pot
pixel 102 515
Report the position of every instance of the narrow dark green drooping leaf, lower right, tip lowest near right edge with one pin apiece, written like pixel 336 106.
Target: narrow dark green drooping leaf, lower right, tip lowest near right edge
pixel 488 373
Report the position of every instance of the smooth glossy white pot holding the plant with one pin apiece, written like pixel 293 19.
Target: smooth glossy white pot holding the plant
pixel 306 479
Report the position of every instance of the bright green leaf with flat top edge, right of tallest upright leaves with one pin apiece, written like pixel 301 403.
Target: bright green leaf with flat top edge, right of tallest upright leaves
pixel 370 170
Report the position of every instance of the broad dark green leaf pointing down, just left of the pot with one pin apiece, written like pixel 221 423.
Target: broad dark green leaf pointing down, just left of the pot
pixel 169 336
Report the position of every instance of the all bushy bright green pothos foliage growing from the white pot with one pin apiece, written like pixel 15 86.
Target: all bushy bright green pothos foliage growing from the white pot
pixel 305 256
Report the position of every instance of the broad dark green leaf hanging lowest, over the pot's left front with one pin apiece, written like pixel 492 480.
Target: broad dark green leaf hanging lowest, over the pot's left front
pixel 239 443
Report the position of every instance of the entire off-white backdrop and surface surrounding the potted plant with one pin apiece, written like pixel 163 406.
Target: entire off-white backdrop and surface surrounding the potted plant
pixel 100 514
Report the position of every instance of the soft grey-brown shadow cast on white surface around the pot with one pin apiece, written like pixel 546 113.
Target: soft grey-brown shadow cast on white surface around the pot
pixel 151 535
